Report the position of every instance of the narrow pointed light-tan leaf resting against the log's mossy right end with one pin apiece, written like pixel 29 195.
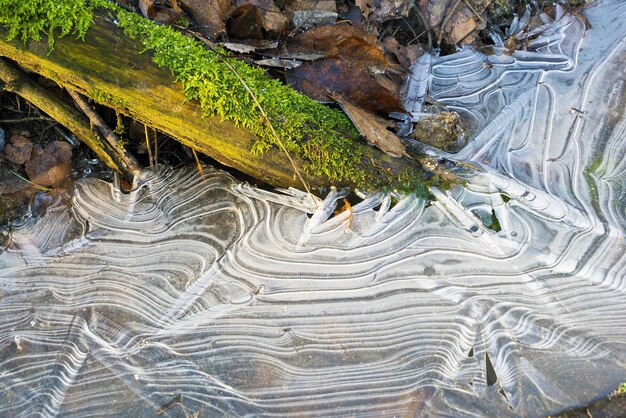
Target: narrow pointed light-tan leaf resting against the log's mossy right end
pixel 372 128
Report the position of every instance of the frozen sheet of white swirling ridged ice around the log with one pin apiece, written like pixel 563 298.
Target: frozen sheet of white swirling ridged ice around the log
pixel 199 295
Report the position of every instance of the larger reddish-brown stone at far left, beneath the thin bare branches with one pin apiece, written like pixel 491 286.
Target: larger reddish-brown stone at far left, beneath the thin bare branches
pixel 50 166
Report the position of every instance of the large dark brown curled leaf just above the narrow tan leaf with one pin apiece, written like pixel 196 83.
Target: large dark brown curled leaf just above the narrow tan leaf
pixel 316 78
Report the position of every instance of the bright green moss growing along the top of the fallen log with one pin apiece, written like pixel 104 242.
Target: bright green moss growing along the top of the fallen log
pixel 323 137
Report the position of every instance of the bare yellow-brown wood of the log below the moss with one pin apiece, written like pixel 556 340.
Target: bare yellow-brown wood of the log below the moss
pixel 110 68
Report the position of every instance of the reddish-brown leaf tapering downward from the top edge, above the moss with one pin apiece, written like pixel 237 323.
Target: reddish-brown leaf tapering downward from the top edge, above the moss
pixel 208 14
